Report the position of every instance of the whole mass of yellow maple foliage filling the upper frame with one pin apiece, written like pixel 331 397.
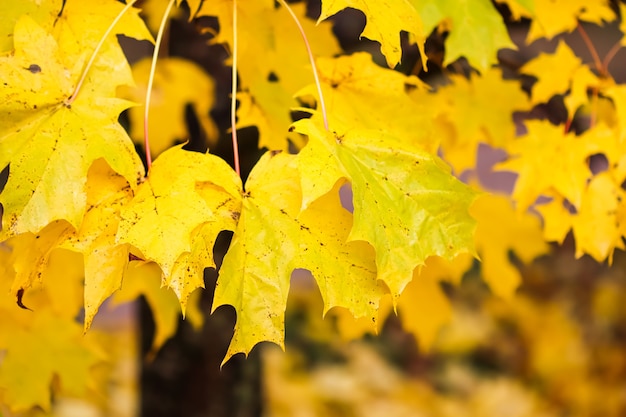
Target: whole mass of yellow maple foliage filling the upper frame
pixel 77 192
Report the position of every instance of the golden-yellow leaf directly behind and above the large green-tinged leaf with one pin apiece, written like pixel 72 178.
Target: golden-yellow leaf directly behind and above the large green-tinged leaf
pixel 358 92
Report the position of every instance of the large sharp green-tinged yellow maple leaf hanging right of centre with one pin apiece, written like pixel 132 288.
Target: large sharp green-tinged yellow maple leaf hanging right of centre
pixel 406 203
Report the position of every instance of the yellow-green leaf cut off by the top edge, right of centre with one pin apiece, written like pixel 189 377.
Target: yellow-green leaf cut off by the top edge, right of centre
pixel 476 28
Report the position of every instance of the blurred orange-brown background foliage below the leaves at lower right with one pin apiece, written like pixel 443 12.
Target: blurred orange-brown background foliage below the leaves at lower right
pixel 558 348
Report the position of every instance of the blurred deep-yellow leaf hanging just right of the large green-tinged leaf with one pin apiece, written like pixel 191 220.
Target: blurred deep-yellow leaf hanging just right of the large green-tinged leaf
pixel 501 230
